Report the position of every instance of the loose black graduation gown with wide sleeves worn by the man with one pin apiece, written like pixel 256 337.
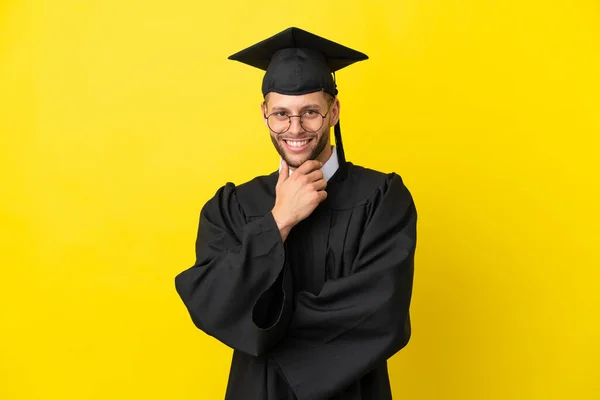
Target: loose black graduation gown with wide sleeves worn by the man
pixel 315 317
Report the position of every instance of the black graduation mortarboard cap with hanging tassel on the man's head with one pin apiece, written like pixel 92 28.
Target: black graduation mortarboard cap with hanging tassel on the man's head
pixel 298 62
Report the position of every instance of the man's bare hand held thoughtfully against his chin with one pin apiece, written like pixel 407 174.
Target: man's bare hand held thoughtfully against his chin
pixel 298 195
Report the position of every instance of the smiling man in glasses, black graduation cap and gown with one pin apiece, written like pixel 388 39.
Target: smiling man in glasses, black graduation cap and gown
pixel 307 272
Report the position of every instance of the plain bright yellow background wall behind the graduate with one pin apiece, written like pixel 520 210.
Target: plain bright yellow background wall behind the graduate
pixel 119 119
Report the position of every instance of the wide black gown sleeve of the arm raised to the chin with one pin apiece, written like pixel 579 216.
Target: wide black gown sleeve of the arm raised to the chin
pixel 238 289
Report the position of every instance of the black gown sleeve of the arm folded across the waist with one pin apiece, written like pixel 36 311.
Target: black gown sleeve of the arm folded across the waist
pixel 358 321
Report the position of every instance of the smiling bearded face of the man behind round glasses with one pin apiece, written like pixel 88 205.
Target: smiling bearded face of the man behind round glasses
pixel 297 145
